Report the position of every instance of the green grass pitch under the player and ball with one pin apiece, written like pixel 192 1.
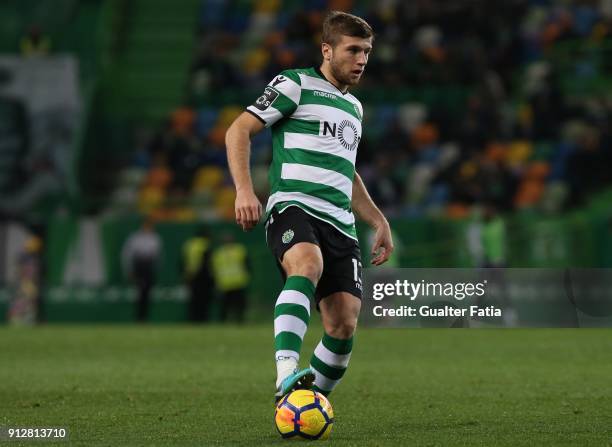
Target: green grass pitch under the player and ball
pixel 170 385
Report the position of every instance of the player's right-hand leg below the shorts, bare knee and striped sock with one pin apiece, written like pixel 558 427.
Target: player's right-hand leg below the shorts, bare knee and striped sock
pixel 339 313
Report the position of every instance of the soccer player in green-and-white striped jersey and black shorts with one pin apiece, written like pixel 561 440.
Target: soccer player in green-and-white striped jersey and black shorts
pixel 310 226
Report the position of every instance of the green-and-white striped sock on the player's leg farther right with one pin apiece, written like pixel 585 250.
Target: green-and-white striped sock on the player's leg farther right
pixel 330 361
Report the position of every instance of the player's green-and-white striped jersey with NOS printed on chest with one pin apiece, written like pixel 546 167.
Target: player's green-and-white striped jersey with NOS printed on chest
pixel 315 133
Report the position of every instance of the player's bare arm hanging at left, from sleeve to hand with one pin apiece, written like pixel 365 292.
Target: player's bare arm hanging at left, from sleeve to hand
pixel 238 143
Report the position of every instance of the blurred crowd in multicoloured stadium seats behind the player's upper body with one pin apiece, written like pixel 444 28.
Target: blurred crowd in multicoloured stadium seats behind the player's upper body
pixel 518 116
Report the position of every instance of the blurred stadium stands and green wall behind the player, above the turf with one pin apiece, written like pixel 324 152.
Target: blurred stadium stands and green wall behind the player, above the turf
pixel 467 103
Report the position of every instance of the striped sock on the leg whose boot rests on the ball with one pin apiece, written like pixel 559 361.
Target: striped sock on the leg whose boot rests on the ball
pixel 291 317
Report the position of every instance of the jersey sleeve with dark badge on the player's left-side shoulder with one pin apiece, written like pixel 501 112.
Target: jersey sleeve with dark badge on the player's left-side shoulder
pixel 280 98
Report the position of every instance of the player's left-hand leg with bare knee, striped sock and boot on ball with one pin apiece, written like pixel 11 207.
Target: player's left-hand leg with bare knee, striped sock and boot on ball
pixel 303 265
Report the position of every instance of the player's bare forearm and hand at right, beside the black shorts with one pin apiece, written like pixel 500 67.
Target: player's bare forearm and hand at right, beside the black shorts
pixel 366 209
